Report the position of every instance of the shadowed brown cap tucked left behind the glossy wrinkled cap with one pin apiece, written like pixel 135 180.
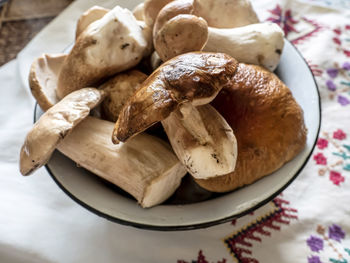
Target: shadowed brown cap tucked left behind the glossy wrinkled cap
pixel 119 89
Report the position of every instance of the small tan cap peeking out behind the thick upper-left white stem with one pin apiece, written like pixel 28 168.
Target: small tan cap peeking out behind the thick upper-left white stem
pixel 91 15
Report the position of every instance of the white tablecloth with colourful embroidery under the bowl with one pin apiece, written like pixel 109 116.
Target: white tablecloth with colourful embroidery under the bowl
pixel 308 222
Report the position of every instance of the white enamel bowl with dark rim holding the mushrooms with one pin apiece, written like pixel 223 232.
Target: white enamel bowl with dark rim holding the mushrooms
pixel 112 203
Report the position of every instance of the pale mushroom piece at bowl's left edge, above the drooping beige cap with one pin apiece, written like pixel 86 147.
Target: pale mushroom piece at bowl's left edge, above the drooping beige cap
pixel 43 79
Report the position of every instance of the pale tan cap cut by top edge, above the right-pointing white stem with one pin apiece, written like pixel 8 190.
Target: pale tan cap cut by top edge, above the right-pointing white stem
pixel 226 13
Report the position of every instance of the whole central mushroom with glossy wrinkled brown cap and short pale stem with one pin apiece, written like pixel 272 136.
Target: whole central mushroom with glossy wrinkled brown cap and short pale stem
pixel 170 95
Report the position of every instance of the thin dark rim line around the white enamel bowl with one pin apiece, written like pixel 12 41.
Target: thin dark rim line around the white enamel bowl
pixel 199 225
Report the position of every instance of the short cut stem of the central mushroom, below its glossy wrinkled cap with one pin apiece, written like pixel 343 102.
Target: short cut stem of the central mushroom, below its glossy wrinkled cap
pixel 202 140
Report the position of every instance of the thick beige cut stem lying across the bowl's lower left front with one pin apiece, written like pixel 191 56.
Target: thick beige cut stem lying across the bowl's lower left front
pixel 145 166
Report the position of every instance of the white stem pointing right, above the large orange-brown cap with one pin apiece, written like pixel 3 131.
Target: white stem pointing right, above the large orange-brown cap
pixel 259 44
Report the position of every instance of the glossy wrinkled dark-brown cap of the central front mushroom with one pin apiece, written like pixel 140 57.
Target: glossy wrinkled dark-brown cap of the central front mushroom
pixel 195 77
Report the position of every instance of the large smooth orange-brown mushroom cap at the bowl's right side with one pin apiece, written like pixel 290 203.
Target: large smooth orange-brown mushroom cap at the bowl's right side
pixel 268 124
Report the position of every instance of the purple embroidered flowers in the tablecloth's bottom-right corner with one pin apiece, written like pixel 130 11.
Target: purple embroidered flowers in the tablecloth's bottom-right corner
pixel 333 240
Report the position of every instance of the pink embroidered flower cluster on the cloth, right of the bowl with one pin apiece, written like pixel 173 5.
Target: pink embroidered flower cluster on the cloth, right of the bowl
pixel 331 144
